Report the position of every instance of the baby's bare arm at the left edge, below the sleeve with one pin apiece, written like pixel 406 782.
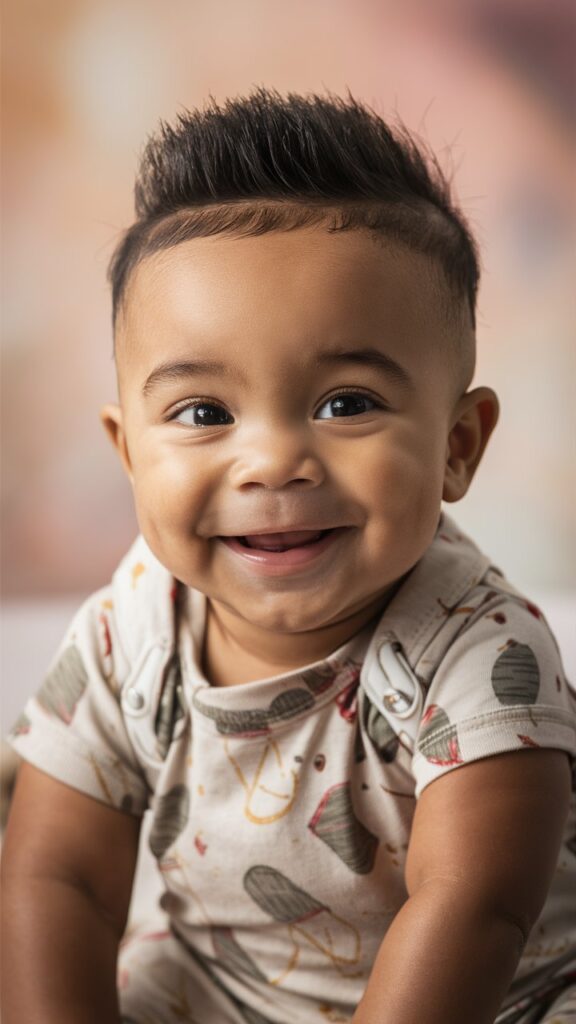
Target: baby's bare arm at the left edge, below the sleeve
pixel 68 867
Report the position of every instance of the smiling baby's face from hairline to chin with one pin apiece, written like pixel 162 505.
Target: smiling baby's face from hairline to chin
pixel 286 383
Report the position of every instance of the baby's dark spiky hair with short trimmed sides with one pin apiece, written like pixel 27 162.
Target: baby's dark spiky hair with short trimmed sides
pixel 266 163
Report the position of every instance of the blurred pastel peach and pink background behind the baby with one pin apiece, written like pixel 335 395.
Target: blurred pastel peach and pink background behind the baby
pixel 490 84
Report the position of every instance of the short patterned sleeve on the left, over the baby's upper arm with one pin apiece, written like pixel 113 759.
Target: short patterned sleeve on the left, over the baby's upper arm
pixel 73 729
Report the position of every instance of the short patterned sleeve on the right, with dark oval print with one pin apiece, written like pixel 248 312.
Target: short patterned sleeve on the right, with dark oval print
pixel 501 688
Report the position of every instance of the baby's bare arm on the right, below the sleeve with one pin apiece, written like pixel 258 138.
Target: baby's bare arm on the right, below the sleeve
pixel 482 855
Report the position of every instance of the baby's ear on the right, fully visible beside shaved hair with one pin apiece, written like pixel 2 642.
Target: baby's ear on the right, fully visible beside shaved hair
pixel 473 422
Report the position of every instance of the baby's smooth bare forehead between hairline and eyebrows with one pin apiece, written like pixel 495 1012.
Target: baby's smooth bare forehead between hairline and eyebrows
pixel 301 288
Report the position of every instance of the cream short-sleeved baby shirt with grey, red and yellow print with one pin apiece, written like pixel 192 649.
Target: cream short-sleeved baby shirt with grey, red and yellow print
pixel 282 808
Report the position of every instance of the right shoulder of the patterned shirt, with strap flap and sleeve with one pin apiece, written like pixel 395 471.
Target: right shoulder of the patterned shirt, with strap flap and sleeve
pixel 484 675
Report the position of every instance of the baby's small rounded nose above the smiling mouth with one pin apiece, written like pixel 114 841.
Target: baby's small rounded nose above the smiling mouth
pixel 278 458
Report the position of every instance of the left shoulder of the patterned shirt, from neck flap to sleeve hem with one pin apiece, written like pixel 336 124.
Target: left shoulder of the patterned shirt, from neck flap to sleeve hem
pixel 78 727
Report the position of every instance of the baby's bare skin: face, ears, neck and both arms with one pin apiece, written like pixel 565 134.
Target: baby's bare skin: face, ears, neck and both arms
pixel 265 307
